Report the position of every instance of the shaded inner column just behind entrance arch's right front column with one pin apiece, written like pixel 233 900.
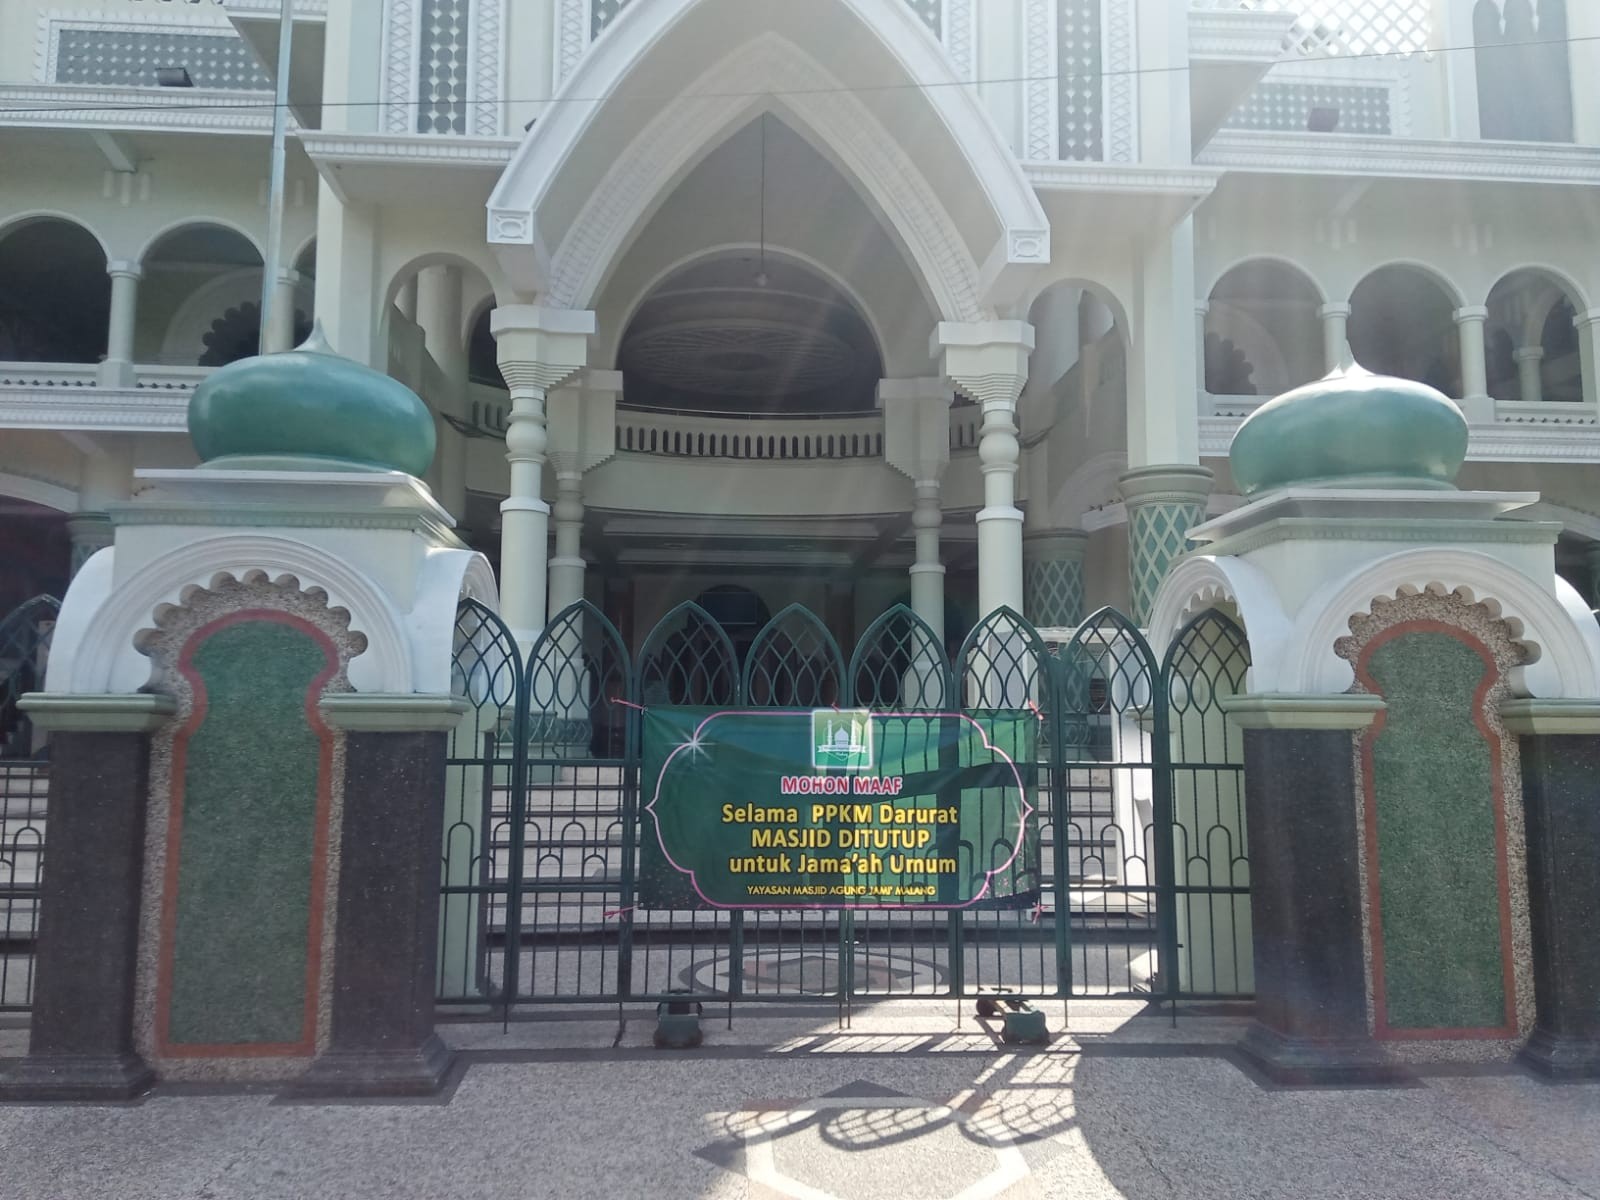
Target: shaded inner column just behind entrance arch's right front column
pixel 918 444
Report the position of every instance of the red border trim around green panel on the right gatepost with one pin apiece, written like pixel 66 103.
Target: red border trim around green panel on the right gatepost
pixel 1492 676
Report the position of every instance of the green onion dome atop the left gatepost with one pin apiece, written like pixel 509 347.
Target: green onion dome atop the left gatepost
pixel 310 410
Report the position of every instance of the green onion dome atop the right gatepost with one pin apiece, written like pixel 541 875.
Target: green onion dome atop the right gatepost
pixel 1353 430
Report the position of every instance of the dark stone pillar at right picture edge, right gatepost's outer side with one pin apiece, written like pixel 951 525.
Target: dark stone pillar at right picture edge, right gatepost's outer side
pixel 1561 761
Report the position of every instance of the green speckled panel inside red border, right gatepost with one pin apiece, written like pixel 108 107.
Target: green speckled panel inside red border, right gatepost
pixel 1438 860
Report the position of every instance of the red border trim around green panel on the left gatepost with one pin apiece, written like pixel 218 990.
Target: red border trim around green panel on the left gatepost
pixel 319 868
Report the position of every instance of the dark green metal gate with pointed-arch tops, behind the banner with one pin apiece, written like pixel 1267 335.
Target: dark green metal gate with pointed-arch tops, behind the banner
pixel 1138 790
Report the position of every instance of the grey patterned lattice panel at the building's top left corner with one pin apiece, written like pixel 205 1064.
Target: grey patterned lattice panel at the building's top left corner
pixel 132 57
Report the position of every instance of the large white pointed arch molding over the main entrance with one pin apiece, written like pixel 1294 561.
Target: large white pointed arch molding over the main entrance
pixel 570 271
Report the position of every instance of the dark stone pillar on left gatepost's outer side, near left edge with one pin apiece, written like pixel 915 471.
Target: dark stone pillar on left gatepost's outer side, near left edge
pixel 81 1038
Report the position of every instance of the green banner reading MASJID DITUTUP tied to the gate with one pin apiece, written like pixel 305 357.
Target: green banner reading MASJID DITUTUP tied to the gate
pixel 828 809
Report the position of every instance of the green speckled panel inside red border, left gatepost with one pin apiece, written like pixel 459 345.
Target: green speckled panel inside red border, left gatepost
pixel 250 785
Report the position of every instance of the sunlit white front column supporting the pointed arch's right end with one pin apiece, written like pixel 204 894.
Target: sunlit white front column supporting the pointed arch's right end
pixel 988 362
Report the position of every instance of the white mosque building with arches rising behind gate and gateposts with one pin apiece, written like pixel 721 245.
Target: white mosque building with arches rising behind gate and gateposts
pixel 822 302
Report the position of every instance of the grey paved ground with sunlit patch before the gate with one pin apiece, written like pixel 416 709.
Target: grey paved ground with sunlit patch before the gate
pixel 900 1106
